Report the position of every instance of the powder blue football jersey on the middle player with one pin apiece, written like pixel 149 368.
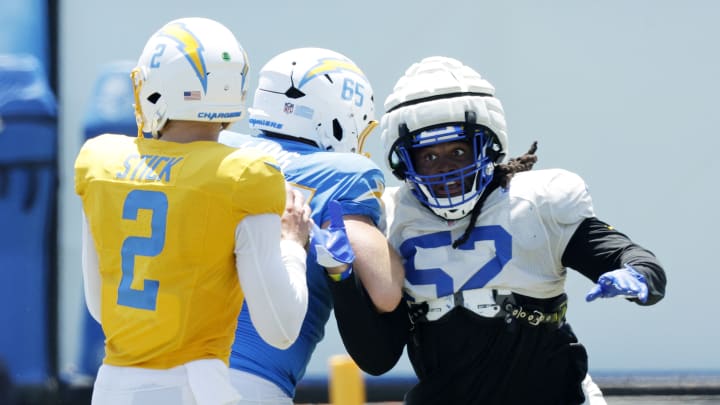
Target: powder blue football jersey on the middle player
pixel 357 183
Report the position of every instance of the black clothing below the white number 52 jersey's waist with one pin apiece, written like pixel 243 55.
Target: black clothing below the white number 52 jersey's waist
pixel 463 358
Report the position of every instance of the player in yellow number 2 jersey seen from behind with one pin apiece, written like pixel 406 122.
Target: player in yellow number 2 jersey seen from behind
pixel 178 228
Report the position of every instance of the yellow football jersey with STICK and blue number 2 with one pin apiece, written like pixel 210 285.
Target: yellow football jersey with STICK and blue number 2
pixel 163 217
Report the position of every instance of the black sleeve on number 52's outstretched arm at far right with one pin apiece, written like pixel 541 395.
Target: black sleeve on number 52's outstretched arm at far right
pixel 596 248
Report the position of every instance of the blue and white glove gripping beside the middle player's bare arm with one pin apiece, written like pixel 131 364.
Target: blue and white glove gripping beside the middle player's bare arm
pixel 331 245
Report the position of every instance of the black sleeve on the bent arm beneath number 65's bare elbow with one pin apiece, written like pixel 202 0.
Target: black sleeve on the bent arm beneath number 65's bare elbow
pixel 375 341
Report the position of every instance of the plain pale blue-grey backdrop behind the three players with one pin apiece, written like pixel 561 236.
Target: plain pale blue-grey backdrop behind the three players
pixel 625 93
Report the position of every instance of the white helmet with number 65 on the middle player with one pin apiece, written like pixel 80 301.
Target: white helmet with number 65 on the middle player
pixel 316 95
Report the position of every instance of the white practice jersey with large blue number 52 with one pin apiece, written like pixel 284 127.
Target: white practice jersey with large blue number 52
pixel 516 243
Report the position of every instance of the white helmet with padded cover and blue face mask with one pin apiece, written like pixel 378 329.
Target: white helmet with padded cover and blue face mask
pixel 441 100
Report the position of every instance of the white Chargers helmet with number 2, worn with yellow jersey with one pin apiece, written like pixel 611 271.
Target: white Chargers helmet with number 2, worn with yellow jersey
pixel 191 69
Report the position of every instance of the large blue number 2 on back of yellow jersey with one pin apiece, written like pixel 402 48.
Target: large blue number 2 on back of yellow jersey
pixel 156 203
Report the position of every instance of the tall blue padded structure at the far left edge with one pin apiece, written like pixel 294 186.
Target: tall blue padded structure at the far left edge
pixel 28 220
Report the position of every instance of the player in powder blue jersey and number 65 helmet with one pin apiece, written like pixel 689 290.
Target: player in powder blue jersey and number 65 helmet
pixel 314 108
